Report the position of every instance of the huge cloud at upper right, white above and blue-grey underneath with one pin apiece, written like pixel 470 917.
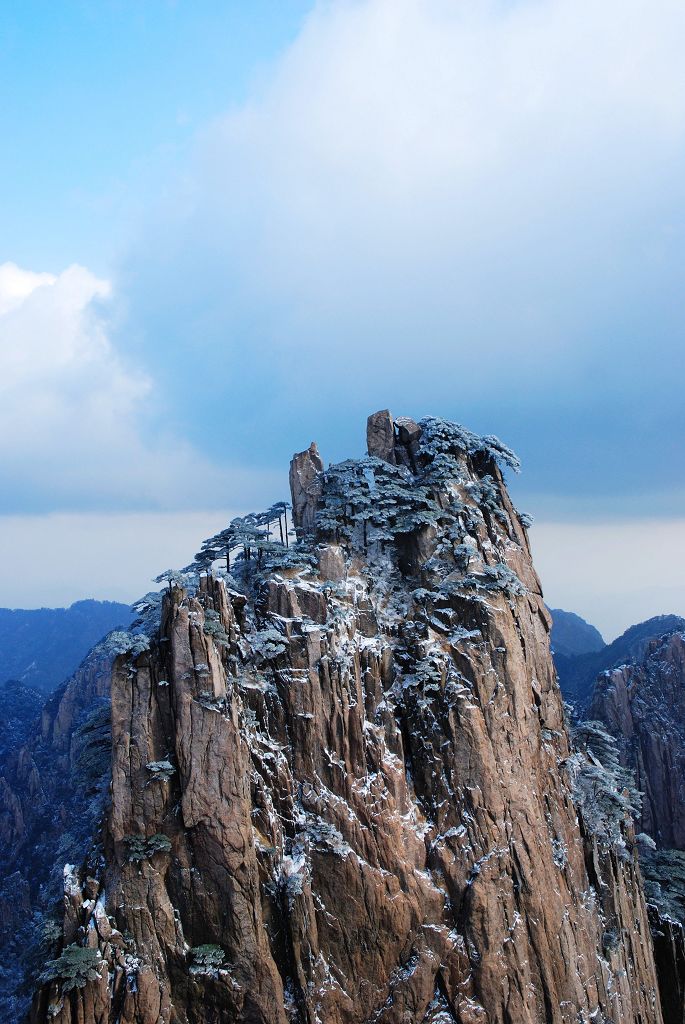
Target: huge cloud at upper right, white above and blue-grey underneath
pixel 469 209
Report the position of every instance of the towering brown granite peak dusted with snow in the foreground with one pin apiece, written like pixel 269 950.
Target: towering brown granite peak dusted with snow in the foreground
pixel 366 815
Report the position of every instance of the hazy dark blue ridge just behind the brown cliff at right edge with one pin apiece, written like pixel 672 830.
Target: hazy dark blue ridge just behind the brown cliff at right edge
pixel 578 673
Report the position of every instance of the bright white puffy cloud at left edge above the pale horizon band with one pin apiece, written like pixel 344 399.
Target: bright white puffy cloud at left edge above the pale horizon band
pixel 76 425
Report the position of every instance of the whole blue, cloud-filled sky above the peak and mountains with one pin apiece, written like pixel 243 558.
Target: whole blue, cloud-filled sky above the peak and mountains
pixel 229 230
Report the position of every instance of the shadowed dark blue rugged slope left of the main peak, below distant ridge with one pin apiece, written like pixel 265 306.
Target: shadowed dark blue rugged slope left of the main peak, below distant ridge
pixel 55 775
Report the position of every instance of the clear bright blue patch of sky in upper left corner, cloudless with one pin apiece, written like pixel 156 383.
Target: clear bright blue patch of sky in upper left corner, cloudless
pixel 100 96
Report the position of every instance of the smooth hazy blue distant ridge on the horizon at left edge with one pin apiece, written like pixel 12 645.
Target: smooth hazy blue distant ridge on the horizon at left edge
pixel 44 647
